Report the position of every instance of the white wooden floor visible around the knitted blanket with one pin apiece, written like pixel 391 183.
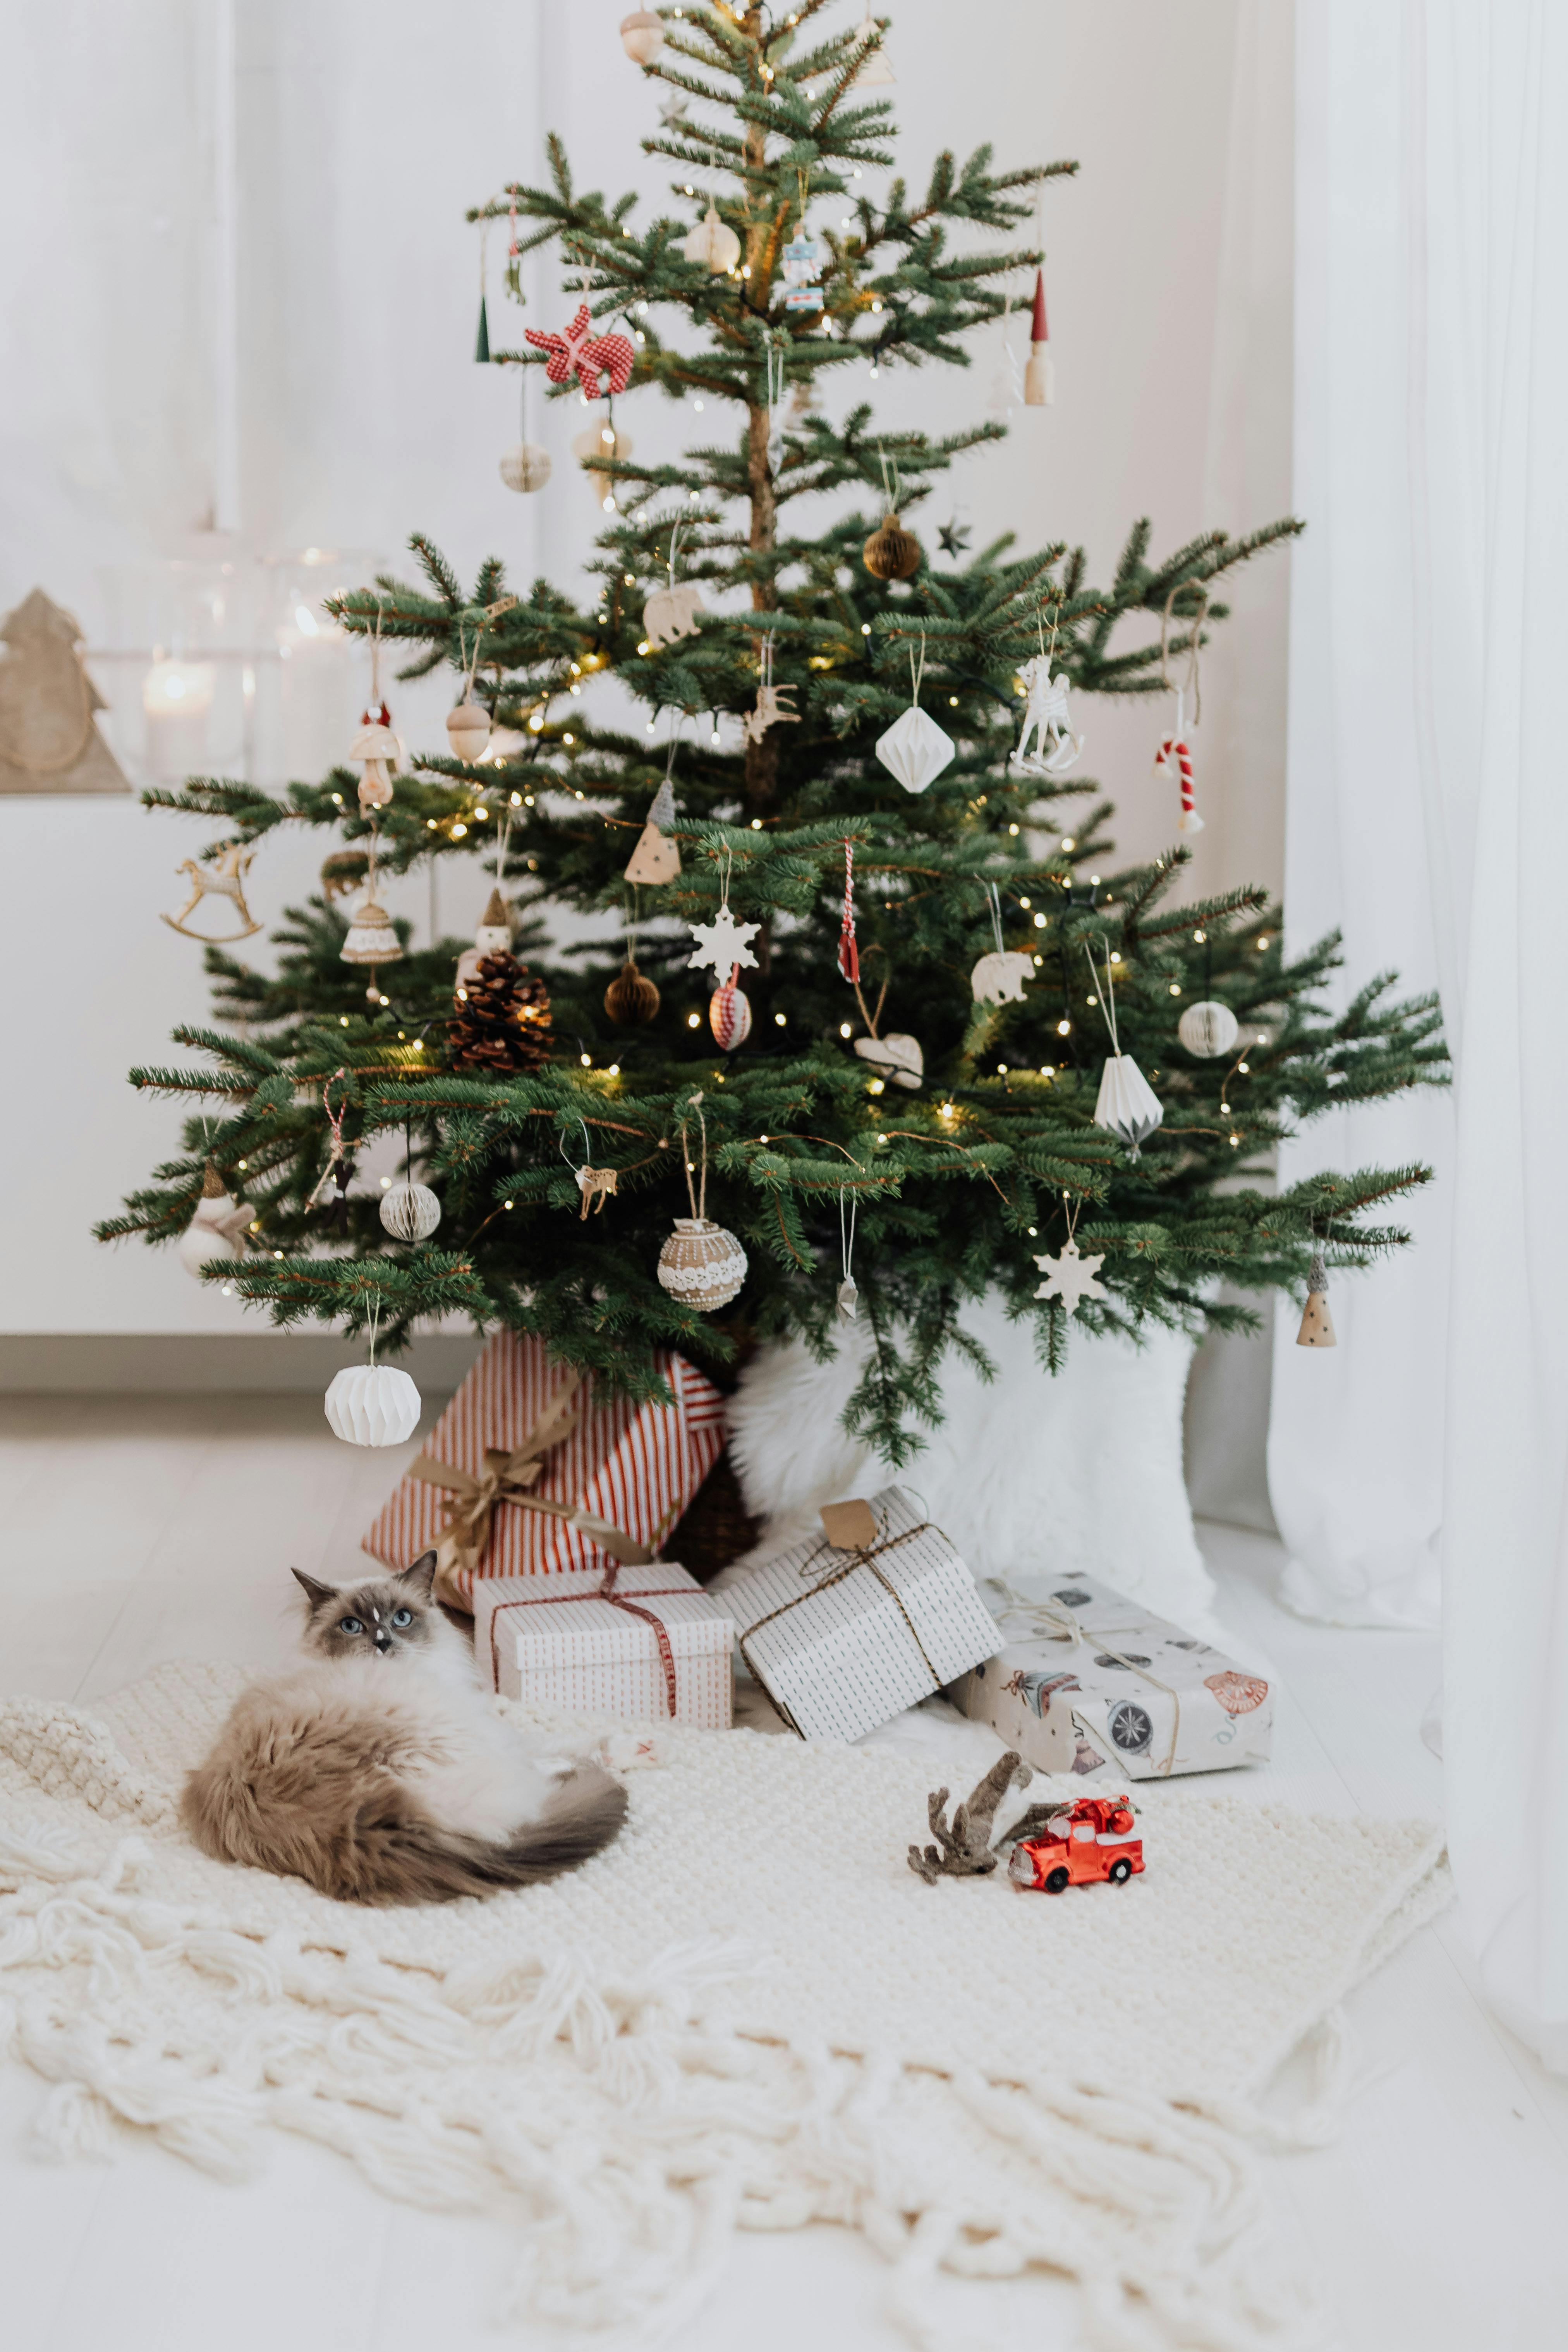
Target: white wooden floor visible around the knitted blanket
pixel 149 1528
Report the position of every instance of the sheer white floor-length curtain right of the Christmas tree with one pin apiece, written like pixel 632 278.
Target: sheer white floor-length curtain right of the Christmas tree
pixel 1428 815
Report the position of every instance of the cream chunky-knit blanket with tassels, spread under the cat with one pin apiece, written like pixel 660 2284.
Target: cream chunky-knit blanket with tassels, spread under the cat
pixel 744 2014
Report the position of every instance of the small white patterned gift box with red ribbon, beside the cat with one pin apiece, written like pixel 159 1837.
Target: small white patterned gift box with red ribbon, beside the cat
pixel 655 1648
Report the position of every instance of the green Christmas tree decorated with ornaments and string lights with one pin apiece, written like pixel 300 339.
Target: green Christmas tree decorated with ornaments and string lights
pixel 850 904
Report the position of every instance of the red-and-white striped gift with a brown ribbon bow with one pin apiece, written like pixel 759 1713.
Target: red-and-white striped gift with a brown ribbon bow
pixel 535 1469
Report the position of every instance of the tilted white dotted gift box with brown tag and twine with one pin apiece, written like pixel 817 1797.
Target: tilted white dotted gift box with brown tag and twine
pixel 845 1636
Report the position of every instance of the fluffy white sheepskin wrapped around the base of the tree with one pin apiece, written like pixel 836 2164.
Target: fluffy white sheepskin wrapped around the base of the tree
pixel 1036 1478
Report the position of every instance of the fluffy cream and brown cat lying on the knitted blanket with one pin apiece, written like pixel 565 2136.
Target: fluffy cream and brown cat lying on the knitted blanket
pixel 377 1770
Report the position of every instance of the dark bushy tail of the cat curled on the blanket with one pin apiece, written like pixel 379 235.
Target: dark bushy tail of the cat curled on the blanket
pixel 398 1855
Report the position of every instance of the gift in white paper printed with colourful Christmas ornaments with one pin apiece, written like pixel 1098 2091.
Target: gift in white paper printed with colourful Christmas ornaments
pixel 1092 1683
